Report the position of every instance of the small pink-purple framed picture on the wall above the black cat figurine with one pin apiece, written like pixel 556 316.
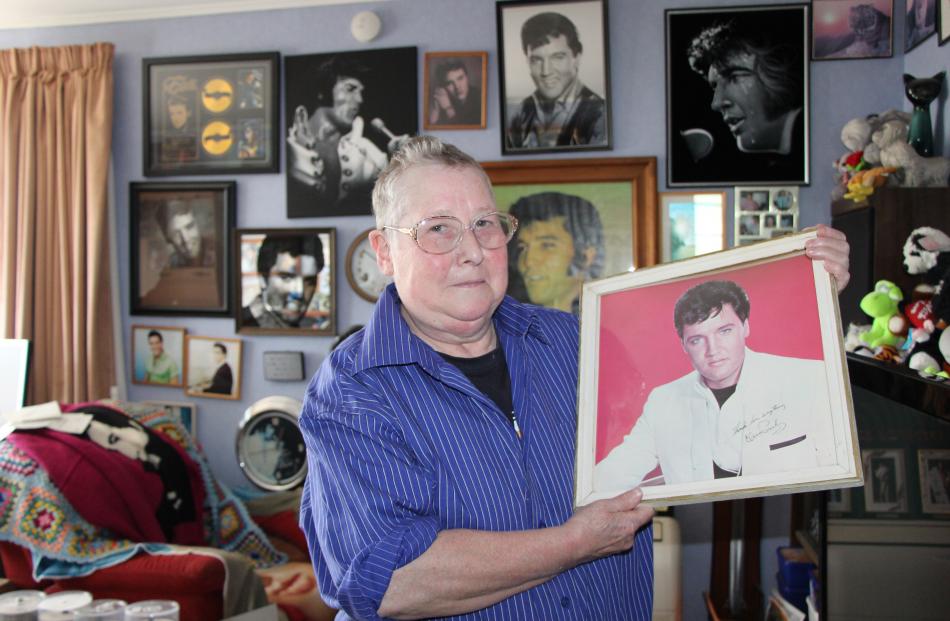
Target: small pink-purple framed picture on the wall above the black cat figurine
pixel 852 29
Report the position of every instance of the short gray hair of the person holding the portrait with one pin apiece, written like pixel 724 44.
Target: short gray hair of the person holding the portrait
pixel 388 202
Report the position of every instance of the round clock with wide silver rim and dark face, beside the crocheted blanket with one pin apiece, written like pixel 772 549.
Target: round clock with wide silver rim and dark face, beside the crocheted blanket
pixel 270 447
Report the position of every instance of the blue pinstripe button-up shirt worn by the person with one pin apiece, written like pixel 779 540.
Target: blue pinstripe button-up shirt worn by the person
pixel 401 446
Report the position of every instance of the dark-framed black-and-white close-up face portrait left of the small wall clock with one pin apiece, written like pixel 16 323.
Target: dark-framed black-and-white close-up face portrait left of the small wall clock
pixel 286 281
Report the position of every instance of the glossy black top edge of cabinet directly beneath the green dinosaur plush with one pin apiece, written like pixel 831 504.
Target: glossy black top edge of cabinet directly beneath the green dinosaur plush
pixel 901 384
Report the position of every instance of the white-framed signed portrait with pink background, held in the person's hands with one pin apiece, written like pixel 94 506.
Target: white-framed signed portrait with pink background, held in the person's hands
pixel 717 377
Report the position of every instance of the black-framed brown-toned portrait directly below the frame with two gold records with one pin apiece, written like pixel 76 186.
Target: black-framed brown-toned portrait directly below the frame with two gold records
pixel 171 277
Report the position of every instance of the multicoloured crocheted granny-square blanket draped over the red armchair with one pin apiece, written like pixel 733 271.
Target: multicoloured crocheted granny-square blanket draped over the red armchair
pixel 34 514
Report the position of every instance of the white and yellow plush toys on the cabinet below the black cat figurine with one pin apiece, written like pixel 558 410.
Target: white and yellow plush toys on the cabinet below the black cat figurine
pixel 878 154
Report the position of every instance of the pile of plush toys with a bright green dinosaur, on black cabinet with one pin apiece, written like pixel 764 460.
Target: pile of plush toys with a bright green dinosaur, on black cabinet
pixel 911 331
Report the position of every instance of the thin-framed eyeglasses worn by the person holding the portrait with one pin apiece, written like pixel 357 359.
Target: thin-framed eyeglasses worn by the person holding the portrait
pixel 442 234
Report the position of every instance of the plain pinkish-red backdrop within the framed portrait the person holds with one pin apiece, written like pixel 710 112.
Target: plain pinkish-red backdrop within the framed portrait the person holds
pixel 640 350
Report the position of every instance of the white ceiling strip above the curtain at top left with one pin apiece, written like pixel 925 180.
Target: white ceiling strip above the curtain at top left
pixel 42 13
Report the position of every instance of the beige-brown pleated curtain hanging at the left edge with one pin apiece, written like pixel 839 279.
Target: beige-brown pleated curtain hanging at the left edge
pixel 55 136
